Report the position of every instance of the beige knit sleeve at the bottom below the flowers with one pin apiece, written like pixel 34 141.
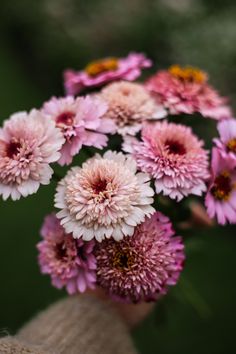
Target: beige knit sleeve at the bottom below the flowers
pixel 76 325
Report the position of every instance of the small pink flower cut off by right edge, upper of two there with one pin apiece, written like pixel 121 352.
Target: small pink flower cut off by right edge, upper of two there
pixel 227 141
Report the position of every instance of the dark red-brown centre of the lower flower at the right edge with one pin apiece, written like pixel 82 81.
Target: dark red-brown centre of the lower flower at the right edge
pixel 222 187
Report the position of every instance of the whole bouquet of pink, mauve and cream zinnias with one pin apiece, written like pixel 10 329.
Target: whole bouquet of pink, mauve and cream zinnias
pixel 113 227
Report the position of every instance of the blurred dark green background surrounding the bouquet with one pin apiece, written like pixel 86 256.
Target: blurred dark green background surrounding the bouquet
pixel 38 39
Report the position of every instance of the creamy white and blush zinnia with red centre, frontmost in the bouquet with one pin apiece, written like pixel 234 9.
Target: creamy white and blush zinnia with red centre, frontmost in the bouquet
pixel 104 198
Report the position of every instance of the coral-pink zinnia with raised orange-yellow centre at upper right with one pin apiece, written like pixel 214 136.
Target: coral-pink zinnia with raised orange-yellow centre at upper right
pixel 185 90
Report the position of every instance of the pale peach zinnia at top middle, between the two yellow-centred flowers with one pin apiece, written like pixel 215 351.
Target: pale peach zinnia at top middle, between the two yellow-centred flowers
pixel 129 105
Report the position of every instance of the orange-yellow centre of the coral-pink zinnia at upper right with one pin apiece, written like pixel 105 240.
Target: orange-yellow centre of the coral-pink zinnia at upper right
pixel 188 74
